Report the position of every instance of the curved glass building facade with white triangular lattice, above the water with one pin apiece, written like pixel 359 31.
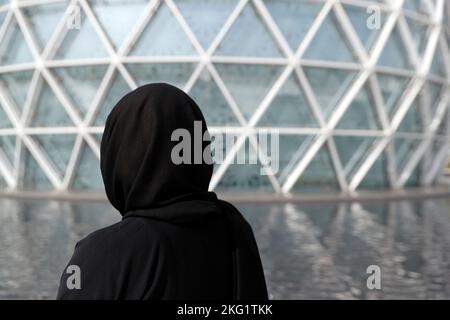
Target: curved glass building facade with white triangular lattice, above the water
pixel 358 90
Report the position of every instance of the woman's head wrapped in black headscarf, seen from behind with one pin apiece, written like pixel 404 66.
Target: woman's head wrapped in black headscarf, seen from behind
pixel 136 149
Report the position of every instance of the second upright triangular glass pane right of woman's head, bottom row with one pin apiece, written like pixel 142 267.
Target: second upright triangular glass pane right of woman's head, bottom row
pixel 319 176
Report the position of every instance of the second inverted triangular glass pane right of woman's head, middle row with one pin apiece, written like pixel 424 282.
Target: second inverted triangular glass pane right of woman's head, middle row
pixel 329 85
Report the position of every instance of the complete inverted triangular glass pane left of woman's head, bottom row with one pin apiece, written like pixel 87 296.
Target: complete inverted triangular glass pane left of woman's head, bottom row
pixel 58 147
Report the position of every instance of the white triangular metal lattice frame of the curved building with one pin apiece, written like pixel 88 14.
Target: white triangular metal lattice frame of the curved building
pixel 292 62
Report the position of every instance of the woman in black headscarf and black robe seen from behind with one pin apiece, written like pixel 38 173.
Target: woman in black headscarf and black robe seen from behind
pixel 176 240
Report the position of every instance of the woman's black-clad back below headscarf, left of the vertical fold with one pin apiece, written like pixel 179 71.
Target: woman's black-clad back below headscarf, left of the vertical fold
pixel 143 258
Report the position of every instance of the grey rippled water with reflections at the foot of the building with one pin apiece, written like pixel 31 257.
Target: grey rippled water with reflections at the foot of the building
pixel 316 251
